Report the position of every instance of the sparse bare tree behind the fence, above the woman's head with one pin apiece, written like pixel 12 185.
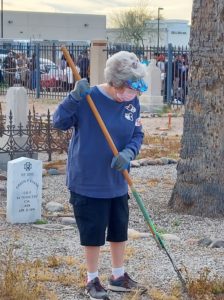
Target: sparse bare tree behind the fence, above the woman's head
pixel 132 23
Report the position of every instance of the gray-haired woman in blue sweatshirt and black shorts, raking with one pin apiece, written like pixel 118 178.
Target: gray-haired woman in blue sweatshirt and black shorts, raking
pixel 99 192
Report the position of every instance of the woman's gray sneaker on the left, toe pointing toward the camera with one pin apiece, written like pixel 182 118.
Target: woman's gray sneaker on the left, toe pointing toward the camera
pixel 95 290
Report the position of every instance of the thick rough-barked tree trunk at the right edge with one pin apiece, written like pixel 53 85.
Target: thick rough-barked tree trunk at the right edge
pixel 199 188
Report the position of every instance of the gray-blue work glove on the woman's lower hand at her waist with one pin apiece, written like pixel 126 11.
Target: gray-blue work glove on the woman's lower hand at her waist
pixel 122 160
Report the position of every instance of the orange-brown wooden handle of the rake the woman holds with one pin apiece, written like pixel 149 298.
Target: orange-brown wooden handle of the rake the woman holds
pixel 96 113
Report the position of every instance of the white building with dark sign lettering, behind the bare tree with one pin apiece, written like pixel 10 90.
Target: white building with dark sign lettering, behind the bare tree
pixel 176 32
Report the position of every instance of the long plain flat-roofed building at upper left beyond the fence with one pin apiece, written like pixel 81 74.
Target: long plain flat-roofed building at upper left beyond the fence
pixel 53 26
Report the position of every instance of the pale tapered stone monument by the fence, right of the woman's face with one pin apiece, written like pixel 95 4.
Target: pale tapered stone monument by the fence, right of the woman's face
pixel 152 99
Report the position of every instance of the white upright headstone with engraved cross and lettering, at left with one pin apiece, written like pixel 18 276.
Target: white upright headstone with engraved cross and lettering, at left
pixel 24 190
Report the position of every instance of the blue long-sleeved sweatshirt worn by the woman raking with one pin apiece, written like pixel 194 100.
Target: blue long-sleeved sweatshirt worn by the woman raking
pixel 89 171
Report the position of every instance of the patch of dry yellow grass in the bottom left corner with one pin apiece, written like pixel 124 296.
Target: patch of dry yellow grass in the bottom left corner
pixel 26 280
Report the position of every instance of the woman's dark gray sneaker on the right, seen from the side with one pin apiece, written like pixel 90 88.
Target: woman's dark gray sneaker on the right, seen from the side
pixel 125 284
